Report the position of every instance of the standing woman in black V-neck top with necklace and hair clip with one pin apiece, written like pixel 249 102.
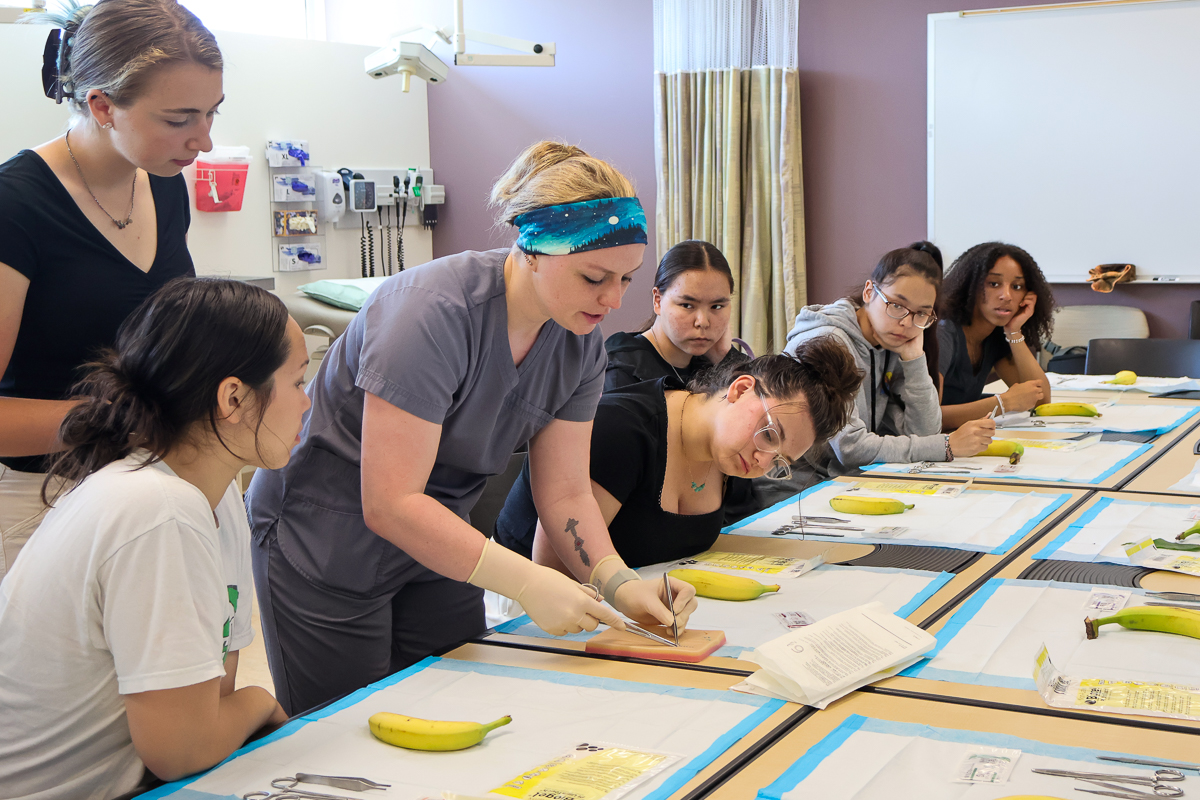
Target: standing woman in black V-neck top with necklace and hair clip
pixel 94 221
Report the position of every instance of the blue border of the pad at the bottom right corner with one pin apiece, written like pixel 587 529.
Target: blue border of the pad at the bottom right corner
pixel 854 724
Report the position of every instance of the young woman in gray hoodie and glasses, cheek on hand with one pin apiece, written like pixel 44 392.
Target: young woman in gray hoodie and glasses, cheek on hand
pixel 891 332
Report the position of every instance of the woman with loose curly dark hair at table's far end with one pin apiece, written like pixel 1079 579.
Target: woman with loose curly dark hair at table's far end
pixel 997 312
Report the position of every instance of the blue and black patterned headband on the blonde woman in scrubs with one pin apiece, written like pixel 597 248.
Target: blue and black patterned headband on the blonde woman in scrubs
pixel 580 227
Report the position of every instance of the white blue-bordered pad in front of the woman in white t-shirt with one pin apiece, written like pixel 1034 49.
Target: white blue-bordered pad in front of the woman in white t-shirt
pixel 551 714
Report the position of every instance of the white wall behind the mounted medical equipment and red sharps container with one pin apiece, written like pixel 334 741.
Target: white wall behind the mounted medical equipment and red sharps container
pixel 275 89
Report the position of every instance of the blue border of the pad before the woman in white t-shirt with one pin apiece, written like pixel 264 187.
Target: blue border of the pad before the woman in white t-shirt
pixel 179 791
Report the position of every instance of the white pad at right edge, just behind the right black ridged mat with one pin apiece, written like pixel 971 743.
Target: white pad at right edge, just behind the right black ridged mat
pixel 1101 532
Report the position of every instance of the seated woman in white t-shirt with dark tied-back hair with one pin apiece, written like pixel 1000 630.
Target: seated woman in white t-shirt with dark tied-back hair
pixel 122 619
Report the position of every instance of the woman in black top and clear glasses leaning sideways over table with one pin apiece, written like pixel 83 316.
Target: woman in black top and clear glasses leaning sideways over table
pixel 664 458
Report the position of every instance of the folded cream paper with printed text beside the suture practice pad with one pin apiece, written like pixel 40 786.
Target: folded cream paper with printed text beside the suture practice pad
pixel 830 659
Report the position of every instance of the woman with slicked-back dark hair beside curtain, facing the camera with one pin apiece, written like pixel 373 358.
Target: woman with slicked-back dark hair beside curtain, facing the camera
pixel 691 330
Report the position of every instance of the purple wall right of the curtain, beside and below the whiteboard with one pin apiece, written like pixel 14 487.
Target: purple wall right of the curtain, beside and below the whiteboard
pixel 863 104
